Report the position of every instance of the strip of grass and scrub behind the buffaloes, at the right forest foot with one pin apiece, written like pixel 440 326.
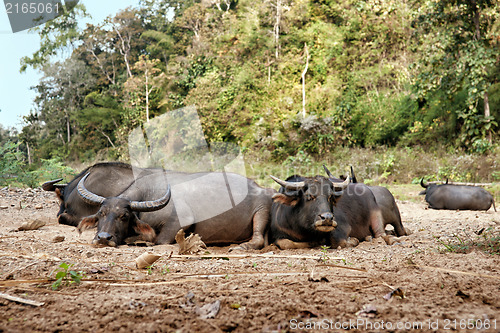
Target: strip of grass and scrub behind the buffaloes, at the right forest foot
pixel 384 165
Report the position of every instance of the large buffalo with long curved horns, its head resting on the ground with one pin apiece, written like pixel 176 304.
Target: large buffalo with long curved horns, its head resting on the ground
pixel 223 208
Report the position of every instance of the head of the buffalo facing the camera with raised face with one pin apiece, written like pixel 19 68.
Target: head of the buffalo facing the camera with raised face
pixel 311 199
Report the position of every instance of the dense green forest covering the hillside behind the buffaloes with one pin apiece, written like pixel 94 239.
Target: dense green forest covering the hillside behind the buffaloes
pixel 278 78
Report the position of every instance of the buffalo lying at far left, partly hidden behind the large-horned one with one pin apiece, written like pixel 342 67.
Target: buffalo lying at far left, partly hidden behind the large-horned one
pixel 105 179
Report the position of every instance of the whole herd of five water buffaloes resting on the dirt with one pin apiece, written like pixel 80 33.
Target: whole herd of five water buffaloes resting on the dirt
pixel 152 205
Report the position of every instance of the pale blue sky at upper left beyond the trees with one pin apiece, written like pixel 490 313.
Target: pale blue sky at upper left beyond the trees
pixel 16 97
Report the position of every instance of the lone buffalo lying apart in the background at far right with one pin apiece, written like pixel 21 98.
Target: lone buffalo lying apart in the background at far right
pixel 449 196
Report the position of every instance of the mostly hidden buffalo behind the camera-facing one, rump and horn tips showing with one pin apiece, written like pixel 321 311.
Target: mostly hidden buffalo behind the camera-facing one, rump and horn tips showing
pixel 387 203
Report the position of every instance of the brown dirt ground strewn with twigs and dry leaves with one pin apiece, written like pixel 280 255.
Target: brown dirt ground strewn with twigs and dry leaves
pixel 265 291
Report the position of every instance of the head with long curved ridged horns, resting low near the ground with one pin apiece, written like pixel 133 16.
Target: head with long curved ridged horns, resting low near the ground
pixel 116 218
